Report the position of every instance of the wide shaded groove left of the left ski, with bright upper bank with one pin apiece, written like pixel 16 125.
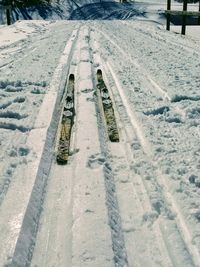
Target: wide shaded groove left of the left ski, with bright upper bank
pixel 25 243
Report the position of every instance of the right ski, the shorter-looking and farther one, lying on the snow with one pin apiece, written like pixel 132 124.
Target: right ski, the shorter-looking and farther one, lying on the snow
pixel 113 133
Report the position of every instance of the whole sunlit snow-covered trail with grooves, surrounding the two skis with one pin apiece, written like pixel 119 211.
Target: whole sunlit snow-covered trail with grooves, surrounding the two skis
pixel 131 203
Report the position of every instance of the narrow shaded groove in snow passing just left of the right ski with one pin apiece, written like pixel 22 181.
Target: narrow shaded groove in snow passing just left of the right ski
pixel 118 244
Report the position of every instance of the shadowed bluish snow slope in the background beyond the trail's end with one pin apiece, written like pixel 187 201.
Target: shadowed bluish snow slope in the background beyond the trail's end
pixel 90 9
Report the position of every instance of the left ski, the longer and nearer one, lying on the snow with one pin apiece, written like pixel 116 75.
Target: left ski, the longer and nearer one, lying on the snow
pixel 66 123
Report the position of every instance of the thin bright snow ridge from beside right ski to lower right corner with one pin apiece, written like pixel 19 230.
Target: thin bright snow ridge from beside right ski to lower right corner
pixel 181 225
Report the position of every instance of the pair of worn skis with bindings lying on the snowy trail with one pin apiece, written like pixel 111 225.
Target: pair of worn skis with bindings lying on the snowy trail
pixel 68 113
